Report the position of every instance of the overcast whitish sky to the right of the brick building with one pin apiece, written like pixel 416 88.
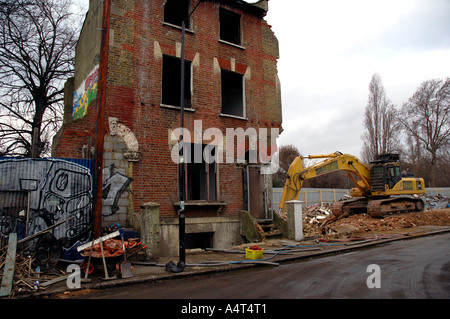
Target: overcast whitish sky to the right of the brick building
pixel 329 51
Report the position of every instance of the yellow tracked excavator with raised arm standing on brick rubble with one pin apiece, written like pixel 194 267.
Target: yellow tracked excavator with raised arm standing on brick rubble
pixel 380 189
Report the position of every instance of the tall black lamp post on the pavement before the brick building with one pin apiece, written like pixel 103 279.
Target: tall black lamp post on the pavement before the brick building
pixel 181 174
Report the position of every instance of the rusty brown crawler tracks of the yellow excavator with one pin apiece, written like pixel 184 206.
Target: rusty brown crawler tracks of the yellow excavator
pixel 378 208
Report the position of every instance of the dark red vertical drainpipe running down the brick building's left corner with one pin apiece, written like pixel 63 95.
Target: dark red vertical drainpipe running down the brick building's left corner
pixel 100 124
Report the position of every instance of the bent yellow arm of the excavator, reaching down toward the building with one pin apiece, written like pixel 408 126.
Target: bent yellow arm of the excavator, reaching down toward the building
pixel 357 171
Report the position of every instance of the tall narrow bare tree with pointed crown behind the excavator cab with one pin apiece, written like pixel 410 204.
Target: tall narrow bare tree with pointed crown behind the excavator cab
pixel 379 122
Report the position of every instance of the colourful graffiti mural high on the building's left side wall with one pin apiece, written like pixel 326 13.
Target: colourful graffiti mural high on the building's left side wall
pixel 85 94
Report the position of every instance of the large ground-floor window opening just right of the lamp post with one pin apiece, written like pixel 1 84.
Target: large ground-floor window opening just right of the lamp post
pixel 200 172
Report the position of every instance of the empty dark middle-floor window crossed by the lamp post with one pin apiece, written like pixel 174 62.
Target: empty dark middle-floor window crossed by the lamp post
pixel 171 81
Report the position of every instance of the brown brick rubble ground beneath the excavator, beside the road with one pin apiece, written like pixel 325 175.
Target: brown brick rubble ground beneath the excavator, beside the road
pixel 363 223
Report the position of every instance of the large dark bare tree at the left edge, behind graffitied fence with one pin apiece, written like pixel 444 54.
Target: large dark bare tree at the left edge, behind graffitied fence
pixel 37 48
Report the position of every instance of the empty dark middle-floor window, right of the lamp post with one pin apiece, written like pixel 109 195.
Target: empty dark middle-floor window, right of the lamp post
pixel 232 93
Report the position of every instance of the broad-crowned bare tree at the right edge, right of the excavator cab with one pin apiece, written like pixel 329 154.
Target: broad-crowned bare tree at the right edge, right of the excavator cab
pixel 426 120
